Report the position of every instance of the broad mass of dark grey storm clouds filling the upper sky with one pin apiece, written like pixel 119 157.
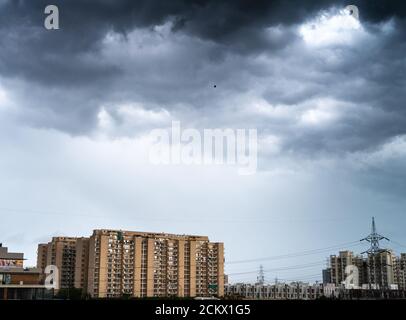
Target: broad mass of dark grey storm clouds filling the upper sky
pixel 68 74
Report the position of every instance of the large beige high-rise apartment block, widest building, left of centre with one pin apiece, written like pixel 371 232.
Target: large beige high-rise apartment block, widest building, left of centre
pixel 115 263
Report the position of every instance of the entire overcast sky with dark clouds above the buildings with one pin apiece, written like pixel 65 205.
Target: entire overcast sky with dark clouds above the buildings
pixel 326 92
